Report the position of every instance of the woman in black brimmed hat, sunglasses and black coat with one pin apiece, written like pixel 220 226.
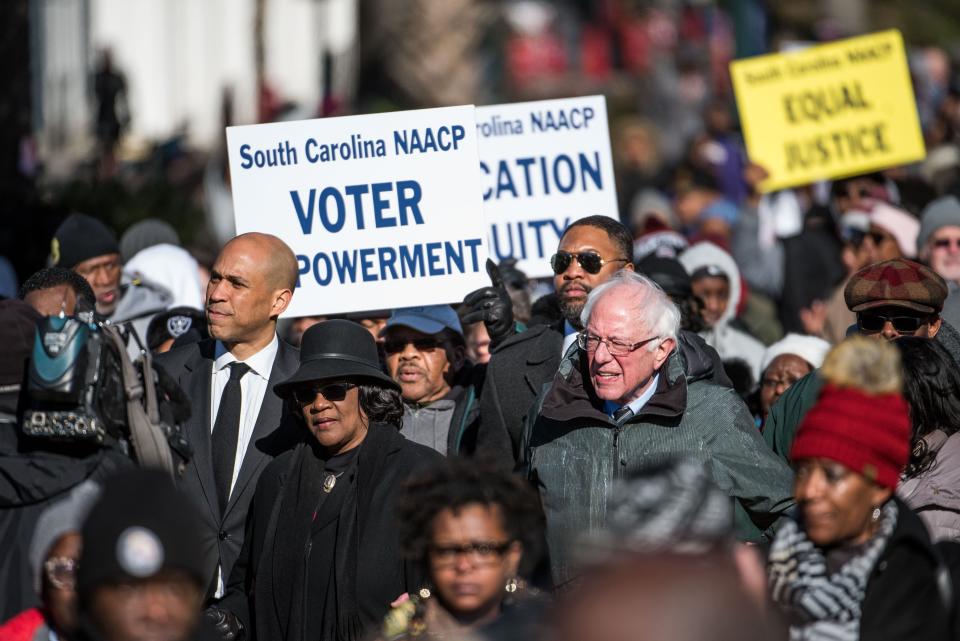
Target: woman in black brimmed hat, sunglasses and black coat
pixel 322 557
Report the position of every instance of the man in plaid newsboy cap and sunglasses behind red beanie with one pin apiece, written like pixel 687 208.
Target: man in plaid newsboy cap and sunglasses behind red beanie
pixel 892 298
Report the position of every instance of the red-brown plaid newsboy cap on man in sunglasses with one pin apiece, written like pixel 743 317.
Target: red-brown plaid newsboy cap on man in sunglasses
pixel 898 282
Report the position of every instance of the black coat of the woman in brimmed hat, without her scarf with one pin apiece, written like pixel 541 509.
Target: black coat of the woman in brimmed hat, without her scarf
pixel 385 460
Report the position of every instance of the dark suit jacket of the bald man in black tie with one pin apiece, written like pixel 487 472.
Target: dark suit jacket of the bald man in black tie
pixel 275 431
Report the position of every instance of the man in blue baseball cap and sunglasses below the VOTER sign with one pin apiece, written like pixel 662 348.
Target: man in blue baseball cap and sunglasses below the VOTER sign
pixel 426 355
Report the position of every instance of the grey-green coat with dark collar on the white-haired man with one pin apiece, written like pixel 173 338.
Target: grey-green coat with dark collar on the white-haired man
pixel 574 452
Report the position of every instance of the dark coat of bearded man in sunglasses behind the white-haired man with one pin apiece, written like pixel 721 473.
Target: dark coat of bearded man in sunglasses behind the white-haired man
pixel 523 364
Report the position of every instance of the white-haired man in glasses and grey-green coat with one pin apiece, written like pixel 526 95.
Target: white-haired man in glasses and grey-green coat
pixel 626 399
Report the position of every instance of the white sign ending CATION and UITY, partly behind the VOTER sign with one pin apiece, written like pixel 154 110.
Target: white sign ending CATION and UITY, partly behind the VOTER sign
pixel 543 165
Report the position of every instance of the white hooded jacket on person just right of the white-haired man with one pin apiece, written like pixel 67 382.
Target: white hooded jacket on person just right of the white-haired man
pixel 727 340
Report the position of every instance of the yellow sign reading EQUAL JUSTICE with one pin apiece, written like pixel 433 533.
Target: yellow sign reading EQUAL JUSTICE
pixel 829 111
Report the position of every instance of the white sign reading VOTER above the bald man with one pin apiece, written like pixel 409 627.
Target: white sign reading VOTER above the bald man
pixel 382 210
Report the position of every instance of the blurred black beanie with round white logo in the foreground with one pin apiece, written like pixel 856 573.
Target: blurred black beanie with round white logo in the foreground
pixel 141 524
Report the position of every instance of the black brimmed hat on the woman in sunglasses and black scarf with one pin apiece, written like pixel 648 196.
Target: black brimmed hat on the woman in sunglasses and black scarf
pixel 336 349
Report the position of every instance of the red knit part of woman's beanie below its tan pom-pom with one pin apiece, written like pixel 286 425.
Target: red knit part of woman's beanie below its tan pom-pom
pixel 867 434
